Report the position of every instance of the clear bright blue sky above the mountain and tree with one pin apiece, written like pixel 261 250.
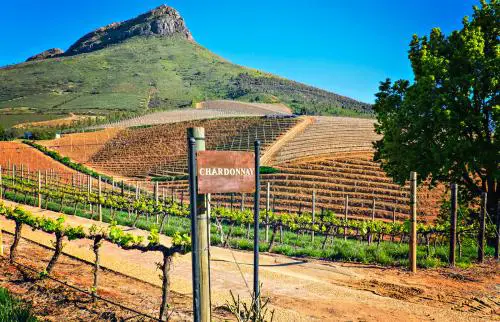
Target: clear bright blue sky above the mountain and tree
pixel 343 46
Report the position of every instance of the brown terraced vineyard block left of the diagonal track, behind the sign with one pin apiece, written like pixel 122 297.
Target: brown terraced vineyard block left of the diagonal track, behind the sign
pixel 161 149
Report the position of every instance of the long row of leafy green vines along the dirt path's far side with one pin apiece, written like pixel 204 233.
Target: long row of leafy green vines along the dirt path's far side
pixel 143 206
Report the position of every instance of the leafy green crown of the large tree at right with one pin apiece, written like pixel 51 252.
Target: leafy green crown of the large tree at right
pixel 445 124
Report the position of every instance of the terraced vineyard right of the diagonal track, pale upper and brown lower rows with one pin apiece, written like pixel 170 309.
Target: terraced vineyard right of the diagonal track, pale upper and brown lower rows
pixel 334 157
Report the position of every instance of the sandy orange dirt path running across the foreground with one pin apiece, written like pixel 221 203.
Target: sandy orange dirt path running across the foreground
pixel 316 290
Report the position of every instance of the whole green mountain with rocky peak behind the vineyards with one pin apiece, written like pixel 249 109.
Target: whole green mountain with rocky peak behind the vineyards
pixel 146 64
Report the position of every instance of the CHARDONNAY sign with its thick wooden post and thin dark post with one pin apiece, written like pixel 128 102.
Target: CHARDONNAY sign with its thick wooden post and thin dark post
pixel 217 172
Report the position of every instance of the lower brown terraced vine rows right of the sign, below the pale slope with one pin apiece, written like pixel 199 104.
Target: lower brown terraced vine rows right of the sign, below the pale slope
pixel 334 178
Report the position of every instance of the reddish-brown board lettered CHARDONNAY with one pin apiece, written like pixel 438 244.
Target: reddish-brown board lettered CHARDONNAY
pixel 225 171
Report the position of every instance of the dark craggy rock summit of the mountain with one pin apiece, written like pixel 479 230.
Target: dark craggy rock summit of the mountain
pixel 162 21
